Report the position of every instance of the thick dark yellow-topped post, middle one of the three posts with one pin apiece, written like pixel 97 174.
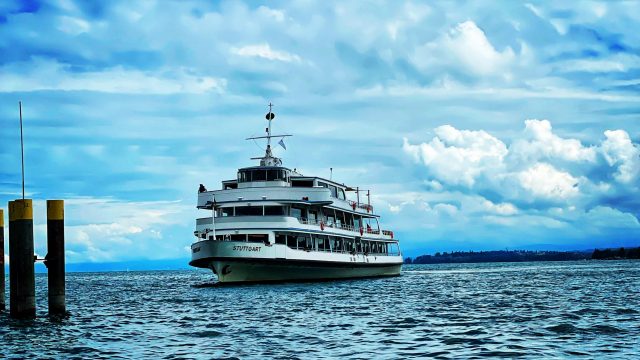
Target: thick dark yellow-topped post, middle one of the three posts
pixel 22 291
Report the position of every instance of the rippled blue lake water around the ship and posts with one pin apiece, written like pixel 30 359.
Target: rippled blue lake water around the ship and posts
pixel 446 311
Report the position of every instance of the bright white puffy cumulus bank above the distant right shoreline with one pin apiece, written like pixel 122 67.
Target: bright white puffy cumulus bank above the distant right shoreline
pixel 539 170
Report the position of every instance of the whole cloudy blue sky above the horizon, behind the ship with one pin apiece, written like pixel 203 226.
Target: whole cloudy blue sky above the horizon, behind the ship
pixel 476 125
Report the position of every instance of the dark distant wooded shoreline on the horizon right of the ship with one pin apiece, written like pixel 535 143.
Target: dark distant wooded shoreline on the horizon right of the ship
pixel 522 255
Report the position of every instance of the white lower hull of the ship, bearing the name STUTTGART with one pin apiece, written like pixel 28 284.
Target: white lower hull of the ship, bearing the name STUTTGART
pixel 248 262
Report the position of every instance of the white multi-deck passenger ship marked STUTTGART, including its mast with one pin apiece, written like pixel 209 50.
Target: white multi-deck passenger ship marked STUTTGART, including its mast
pixel 272 223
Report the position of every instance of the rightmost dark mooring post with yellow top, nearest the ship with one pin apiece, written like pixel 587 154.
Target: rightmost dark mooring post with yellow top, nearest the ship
pixel 55 257
